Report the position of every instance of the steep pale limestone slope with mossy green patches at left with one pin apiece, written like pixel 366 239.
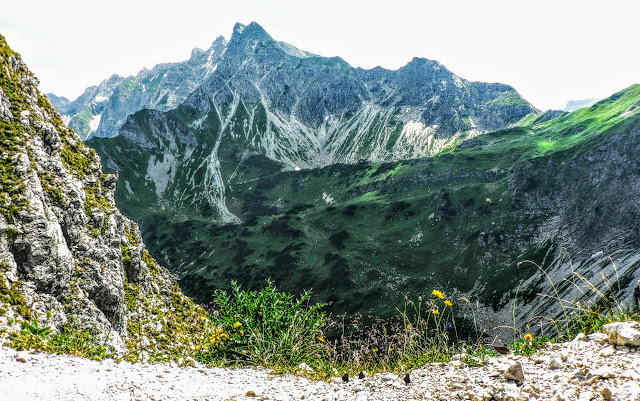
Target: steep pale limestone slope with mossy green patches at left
pixel 67 255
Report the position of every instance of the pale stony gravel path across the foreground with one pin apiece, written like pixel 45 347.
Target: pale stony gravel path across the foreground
pixel 584 369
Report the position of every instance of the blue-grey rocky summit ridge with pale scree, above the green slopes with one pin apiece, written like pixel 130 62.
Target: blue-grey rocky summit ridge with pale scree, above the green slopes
pixel 308 96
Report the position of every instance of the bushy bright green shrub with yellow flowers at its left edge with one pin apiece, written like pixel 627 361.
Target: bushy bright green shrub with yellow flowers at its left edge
pixel 264 327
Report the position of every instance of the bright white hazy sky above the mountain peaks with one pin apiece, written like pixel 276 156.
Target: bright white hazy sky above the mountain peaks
pixel 551 51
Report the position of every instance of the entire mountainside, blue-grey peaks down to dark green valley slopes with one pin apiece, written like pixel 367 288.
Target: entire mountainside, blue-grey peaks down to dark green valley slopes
pixel 256 160
